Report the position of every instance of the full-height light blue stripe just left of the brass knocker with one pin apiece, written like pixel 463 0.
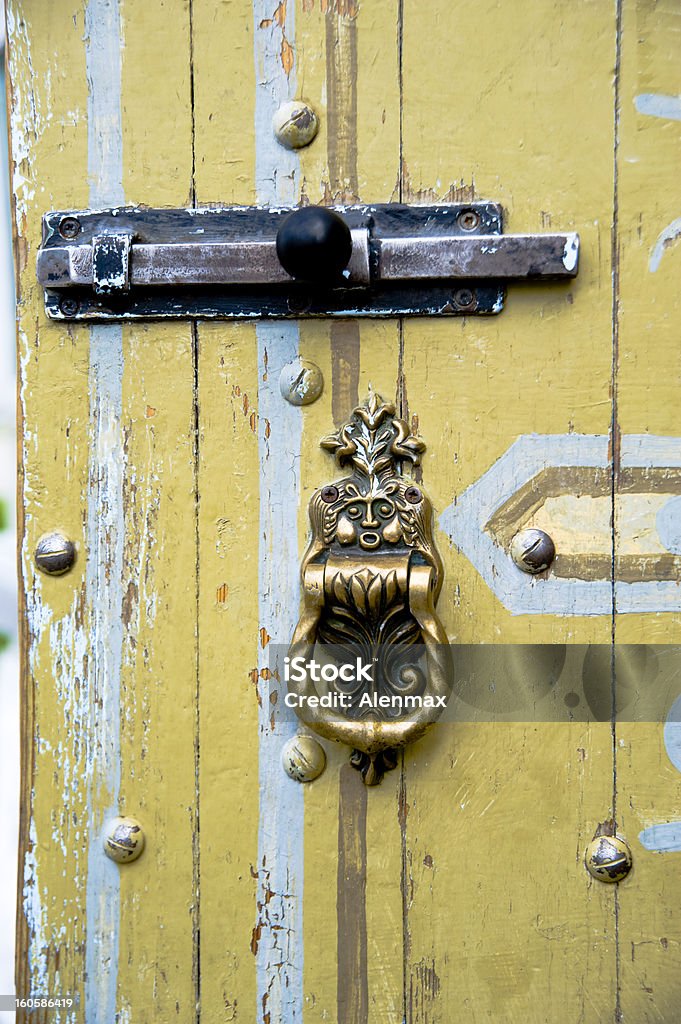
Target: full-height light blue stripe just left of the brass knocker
pixel 280 891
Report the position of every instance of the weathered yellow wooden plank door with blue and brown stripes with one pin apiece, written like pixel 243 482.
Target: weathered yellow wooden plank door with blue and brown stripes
pixel 456 890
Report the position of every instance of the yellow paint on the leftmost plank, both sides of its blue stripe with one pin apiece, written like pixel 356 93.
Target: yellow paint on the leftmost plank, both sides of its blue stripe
pixel 155 963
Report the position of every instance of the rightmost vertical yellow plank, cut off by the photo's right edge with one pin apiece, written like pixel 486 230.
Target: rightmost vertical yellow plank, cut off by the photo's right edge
pixel 649 368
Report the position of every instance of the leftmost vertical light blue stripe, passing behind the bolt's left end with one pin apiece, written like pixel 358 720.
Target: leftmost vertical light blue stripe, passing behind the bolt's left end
pixel 105 528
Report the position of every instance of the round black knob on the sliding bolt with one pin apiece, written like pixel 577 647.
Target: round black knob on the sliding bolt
pixel 315 244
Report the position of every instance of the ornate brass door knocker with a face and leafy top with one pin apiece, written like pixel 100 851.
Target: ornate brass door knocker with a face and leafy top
pixel 371 579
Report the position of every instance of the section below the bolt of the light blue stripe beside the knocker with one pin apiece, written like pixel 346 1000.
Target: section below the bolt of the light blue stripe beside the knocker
pixel 280 955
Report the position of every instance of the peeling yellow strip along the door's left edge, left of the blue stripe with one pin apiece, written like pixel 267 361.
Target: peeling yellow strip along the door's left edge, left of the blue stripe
pixel 54 429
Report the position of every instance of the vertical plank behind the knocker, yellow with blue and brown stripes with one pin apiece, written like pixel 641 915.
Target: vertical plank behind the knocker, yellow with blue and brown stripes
pixel 307 51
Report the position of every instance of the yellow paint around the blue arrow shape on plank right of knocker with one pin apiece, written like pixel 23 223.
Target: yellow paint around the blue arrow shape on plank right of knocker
pixel 503 922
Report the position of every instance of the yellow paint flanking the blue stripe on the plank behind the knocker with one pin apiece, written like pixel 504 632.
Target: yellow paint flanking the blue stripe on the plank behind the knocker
pixel 336 52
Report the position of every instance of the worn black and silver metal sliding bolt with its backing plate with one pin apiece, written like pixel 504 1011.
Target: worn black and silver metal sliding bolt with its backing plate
pixel 218 264
